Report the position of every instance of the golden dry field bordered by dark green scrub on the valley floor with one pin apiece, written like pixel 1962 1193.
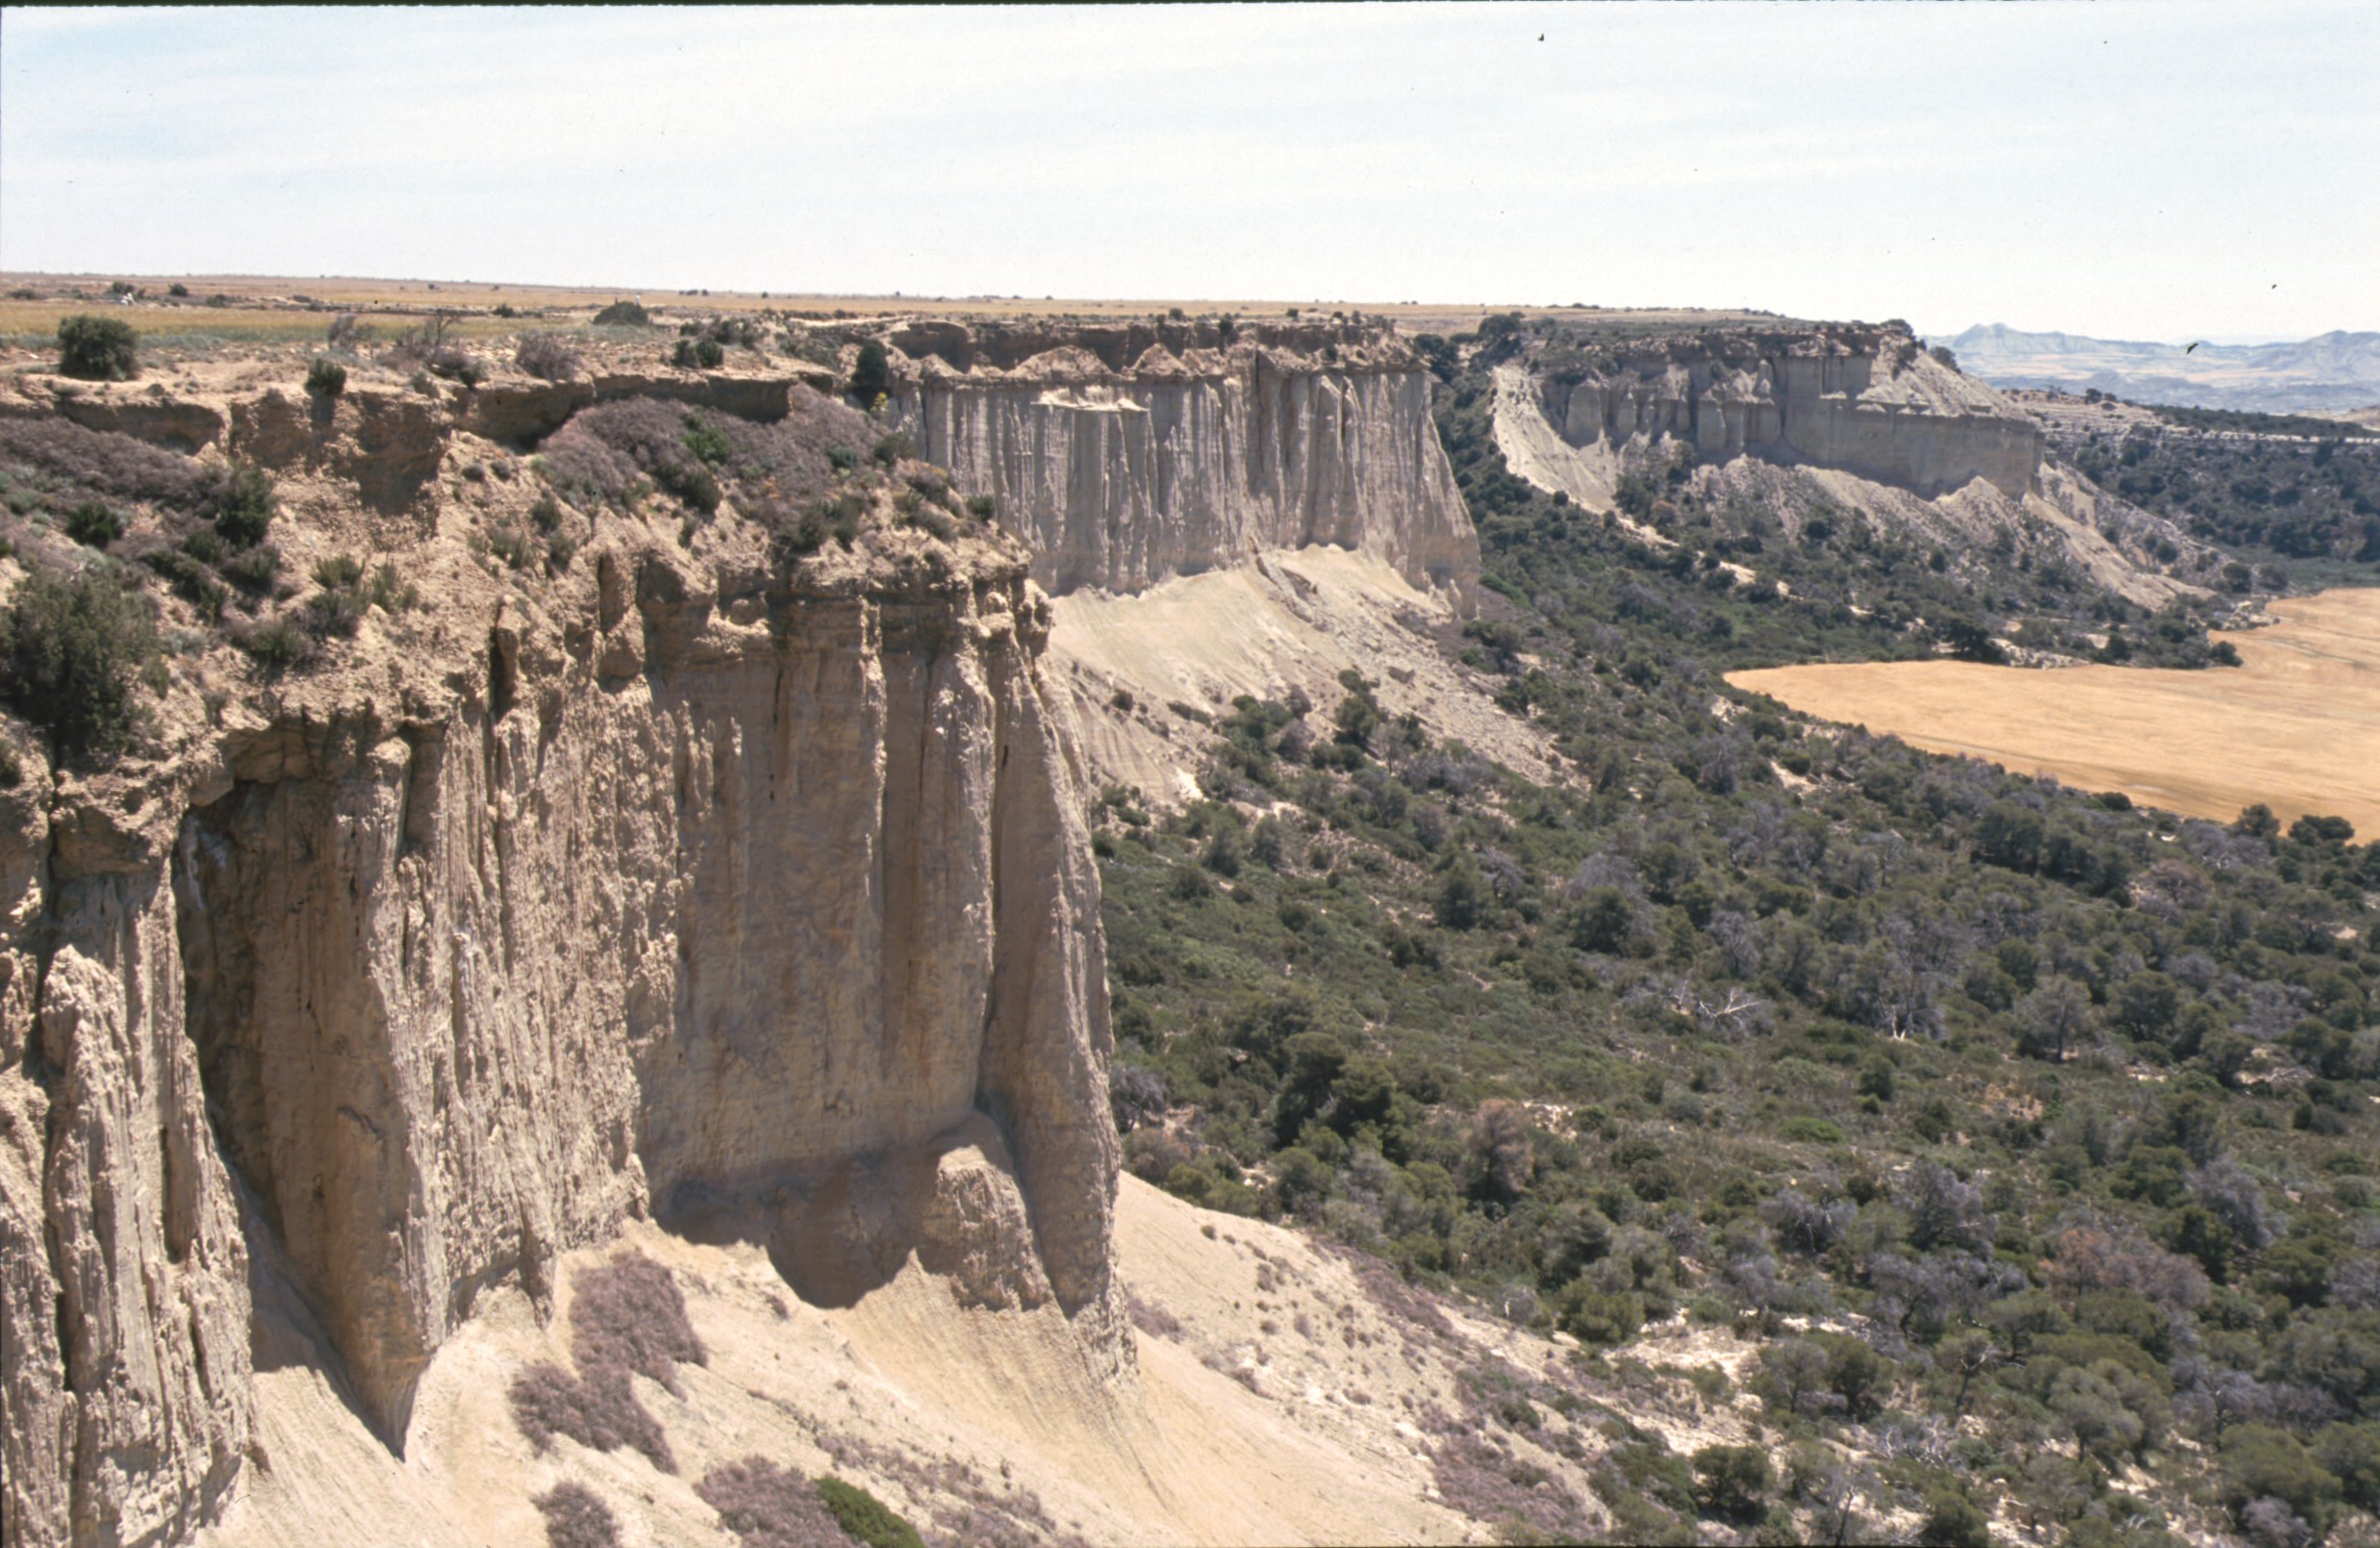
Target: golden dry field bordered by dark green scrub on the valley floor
pixel 2296 728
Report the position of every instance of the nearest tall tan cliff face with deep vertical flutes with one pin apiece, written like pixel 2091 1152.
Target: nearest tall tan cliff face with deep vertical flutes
pixel 677 890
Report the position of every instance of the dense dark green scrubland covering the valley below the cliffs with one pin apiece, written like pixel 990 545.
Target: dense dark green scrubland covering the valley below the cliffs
pixel 2027 1130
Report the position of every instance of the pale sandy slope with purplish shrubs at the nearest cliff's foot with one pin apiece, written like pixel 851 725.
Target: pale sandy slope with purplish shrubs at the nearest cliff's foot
pixel 1284 1392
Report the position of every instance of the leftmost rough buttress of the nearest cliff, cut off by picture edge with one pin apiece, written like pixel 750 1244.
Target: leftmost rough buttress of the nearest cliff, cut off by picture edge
pixel 123 1261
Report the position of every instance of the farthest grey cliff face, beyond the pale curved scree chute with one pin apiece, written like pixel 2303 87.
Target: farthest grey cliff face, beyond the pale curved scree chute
pixel 1853 399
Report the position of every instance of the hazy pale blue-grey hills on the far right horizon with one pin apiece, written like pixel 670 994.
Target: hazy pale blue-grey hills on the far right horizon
pixel 2326 375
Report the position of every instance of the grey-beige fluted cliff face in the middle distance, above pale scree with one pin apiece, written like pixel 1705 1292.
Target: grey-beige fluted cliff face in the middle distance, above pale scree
pixel 1134 454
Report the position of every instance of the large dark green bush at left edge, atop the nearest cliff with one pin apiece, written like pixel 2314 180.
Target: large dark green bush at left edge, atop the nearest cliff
pixel 70 656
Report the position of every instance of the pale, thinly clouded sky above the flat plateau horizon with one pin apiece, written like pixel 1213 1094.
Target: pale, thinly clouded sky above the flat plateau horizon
pixel 2129 170
